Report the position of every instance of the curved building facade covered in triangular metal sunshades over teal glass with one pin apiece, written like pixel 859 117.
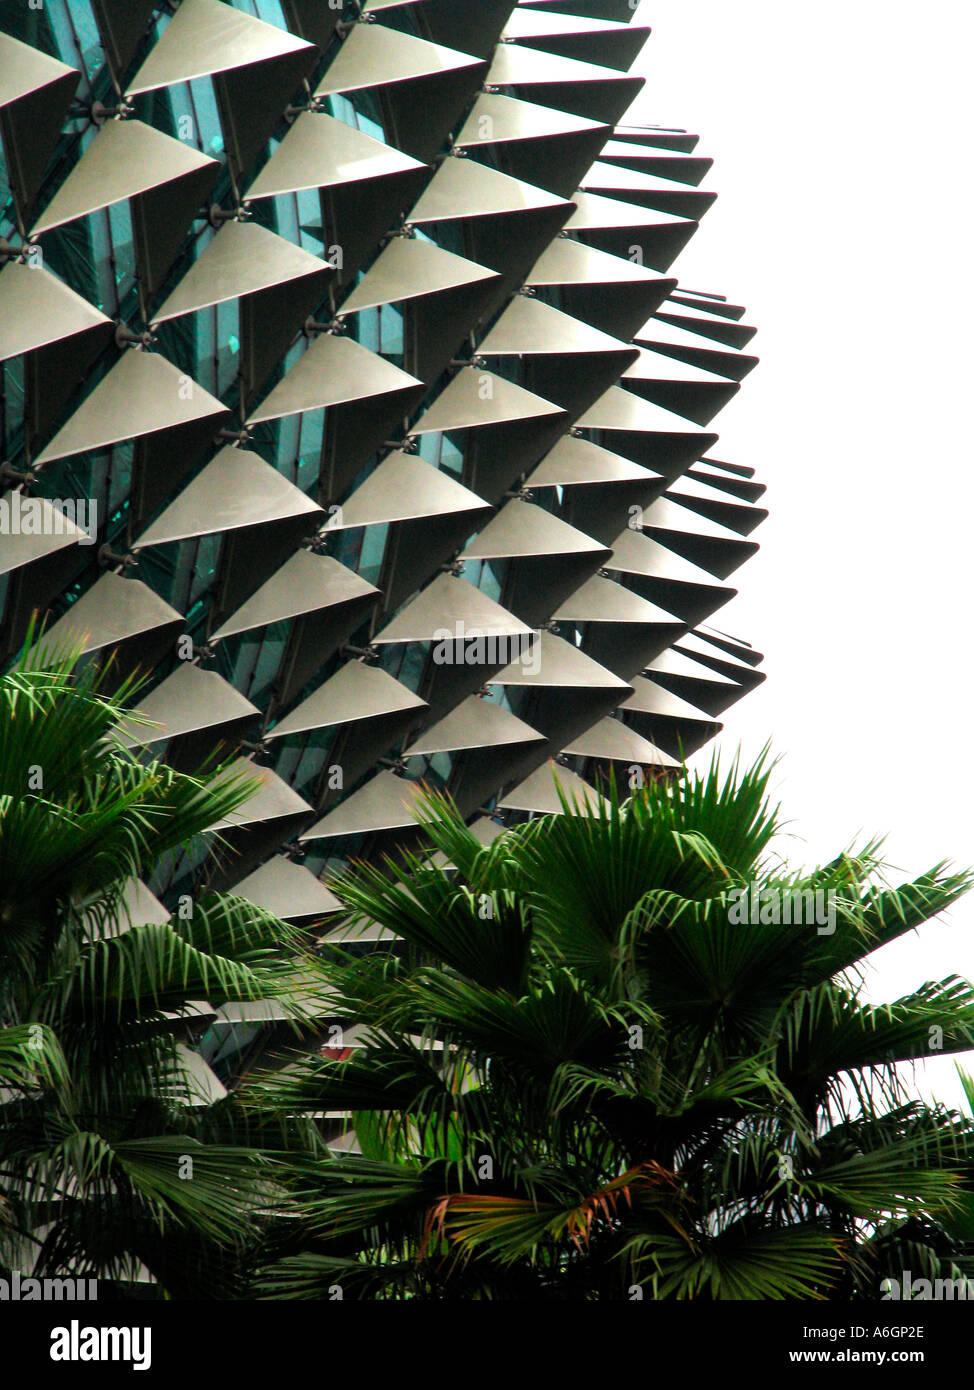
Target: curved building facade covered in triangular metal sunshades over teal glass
pixel 348 390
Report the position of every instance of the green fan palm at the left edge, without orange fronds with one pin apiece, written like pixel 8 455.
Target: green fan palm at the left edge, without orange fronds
pixel 112 1164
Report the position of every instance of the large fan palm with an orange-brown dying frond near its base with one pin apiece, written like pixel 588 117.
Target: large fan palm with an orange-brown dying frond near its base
pixel 586 1077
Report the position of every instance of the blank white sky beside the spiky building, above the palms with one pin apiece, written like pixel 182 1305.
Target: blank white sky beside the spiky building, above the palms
pixel 843 136
